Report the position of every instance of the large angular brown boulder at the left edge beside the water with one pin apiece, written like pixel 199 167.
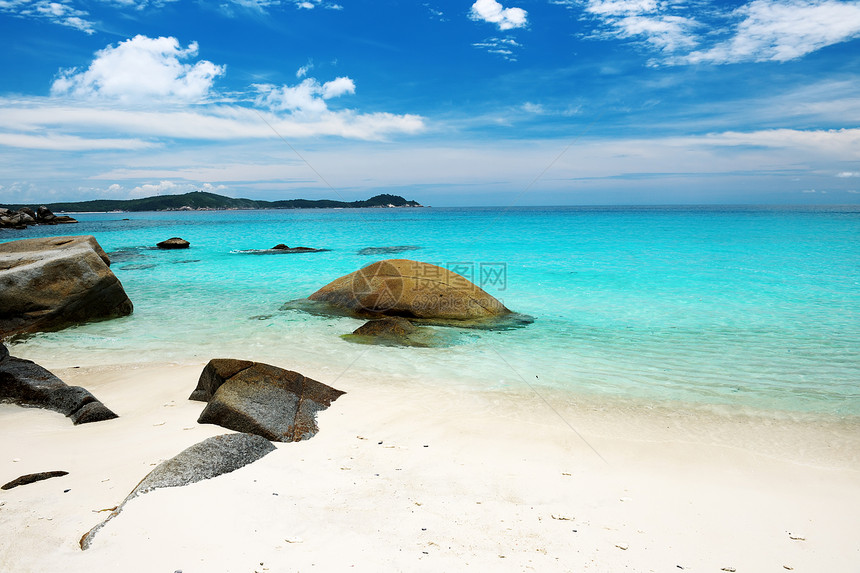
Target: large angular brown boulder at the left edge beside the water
pixel 52 283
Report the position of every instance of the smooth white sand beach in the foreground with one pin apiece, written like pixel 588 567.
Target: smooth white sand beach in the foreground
pixel 406 476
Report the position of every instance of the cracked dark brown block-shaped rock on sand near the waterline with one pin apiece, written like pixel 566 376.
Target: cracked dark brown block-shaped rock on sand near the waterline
pixel 257 398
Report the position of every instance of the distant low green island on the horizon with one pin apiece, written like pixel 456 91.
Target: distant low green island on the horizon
pixel 203 201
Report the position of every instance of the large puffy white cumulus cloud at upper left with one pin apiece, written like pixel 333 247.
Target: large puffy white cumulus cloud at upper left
pixel 141 69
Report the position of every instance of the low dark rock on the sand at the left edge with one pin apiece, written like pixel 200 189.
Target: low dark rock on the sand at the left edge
pixel 26 383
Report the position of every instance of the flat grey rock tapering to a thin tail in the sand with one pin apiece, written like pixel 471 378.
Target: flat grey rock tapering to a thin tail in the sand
pixel 207 459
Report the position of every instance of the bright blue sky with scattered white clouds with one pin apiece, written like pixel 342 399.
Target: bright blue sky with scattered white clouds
pixel 523 102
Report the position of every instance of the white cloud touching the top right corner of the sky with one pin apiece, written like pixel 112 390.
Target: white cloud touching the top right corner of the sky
pixel 782 30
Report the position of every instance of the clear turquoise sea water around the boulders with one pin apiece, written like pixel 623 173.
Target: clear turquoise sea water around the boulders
pixel 741 307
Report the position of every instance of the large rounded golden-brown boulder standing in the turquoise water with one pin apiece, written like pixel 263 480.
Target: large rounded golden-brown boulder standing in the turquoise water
pixel 410 289
